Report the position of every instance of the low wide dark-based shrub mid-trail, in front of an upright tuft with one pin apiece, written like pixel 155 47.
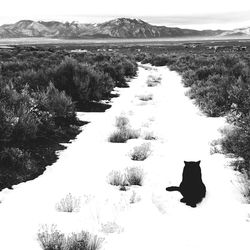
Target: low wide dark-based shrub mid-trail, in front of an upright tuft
pixel 123 135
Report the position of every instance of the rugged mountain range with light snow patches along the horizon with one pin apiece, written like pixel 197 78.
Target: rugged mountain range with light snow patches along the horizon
pixel 117 28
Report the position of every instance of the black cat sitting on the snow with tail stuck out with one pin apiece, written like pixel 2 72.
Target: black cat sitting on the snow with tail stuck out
pixel 192 188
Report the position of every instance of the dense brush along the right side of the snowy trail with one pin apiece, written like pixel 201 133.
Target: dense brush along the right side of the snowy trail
pixel 219 82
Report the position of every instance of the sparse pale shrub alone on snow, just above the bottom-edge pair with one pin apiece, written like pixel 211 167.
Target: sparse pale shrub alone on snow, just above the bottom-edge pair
pixel 68 204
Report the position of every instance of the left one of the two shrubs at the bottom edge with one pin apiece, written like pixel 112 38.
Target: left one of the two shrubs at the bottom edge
pixel 50 238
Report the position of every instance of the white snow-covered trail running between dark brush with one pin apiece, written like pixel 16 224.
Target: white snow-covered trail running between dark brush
pixel 158 220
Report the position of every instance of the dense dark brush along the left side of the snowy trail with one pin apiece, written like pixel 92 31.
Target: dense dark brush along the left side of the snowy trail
pixel 40 90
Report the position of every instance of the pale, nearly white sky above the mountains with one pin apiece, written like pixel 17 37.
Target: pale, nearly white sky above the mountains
pixel 199 14
